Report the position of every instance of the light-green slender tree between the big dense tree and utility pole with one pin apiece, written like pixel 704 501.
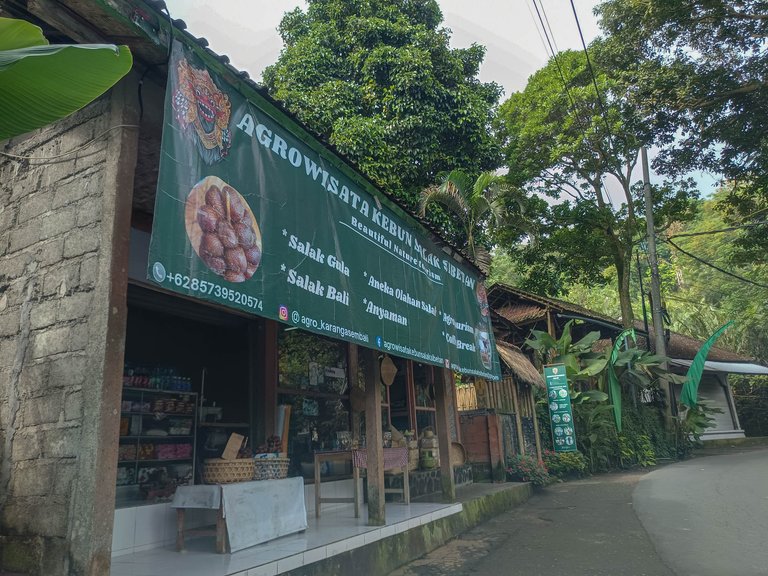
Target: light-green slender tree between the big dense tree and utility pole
pixel 569 137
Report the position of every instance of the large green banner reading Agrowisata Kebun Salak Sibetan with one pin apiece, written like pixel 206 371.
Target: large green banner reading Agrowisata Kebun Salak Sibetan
pixel 252 217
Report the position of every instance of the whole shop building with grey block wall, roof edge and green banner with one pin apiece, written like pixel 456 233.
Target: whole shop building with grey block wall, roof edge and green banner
pixel 195 264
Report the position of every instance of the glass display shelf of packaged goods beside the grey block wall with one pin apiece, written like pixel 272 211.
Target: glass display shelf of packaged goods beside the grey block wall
pixel 149 466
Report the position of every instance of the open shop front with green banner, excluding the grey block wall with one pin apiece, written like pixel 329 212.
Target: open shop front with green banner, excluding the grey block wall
pixel 278 300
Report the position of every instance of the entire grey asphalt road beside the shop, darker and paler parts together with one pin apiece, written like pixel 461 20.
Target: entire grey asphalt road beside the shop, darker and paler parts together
pixel 705 516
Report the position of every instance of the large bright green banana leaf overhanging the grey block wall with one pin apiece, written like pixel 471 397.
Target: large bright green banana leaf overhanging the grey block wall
pixel 41 83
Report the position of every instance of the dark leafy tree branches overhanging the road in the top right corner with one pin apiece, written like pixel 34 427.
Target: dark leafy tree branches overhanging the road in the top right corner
pixel 696 71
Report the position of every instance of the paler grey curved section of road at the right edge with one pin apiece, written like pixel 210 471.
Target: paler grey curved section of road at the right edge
pixel 709 516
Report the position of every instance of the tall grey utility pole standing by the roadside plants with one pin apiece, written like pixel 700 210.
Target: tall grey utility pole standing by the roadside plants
pixel 656 316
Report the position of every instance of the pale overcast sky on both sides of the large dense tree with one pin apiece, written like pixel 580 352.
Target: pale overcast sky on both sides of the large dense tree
pixel 246 31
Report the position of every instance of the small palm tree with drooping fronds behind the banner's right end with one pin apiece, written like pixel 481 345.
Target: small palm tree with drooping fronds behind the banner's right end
pixel 474 203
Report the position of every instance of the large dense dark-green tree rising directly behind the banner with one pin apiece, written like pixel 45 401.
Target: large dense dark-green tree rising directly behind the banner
pixel 378 79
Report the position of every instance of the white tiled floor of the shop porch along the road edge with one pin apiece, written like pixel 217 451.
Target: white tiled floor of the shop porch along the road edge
pixel 335 532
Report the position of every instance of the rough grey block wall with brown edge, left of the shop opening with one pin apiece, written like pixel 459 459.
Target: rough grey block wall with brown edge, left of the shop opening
pixel 60 218
